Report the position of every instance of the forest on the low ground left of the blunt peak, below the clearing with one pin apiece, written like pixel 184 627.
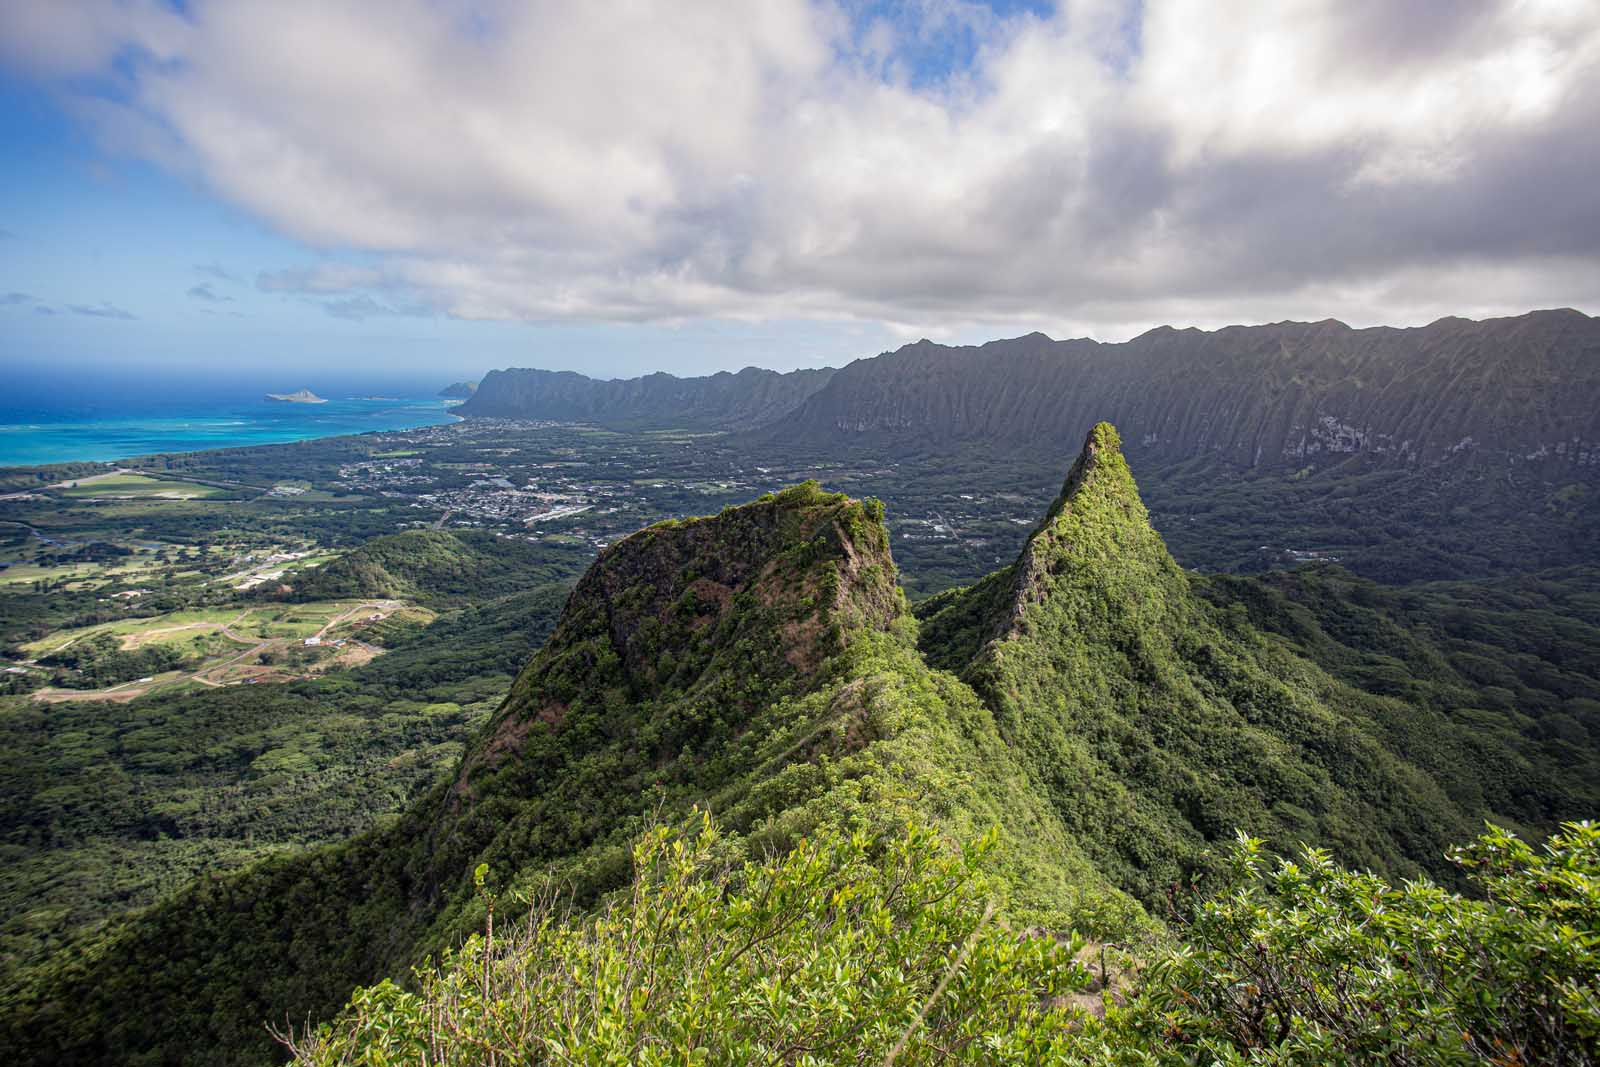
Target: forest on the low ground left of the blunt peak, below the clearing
pixel 110 807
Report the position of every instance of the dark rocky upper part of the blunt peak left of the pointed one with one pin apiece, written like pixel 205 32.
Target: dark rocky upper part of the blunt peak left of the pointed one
pixel 726 610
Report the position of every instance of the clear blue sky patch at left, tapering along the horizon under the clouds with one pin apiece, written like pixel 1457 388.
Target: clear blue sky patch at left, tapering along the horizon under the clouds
pixel 102 231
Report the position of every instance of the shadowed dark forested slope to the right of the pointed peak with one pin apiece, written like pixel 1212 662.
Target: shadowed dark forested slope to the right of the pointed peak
pixel 1492 687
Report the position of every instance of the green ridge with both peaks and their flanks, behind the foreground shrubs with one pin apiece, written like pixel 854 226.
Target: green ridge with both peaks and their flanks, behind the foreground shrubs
pixel 1086 703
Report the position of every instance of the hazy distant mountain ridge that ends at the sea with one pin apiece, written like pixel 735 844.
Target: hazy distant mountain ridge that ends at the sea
pixel 724 402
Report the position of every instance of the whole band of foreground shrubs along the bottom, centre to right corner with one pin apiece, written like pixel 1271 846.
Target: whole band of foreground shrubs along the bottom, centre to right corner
pixel 852 951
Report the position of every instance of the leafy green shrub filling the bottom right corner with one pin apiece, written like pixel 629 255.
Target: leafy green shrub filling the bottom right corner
pixel 1306 964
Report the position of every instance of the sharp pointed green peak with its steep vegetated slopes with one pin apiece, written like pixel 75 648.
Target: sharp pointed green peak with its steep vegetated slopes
pixel 1153 730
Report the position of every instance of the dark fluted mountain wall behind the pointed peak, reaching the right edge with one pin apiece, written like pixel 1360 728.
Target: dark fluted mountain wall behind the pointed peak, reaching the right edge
pixel 1518 391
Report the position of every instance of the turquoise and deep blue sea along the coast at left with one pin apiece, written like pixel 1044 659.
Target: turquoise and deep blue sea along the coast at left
pixel 39 434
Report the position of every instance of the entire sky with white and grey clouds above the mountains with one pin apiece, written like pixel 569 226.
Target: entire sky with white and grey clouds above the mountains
pixel 433 188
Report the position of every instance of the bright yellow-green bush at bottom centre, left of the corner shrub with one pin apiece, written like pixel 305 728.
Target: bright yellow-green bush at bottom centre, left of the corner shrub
pixel 842 951
